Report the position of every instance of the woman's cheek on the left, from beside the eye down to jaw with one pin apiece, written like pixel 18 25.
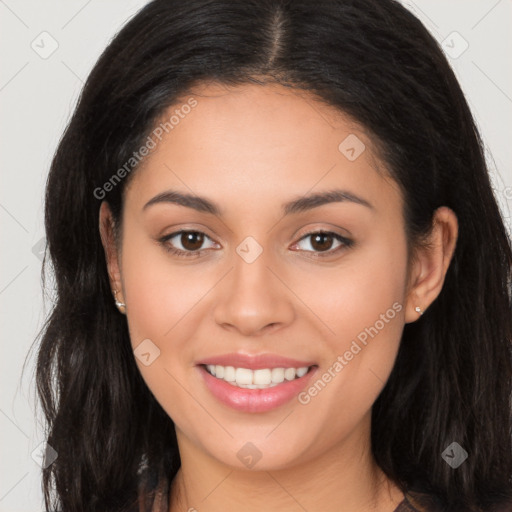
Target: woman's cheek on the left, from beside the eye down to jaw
pixel 160 300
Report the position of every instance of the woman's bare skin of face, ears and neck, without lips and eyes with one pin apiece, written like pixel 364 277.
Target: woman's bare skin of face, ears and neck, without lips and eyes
pixel 249 149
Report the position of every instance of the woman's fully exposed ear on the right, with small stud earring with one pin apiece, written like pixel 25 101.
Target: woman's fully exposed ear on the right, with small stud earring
pixel 430 263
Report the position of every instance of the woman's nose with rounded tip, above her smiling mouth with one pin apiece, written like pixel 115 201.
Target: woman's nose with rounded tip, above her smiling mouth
pixel 252 300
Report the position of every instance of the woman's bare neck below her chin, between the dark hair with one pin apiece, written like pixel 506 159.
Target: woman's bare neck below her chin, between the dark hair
pixel 343 479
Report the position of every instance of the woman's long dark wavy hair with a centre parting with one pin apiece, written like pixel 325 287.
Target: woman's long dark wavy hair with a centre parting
pixel 372 60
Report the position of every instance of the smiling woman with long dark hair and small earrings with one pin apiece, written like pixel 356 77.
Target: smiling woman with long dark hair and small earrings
pixel 283 281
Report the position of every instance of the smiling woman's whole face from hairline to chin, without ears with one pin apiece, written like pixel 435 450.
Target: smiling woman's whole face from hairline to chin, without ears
pixel 264 294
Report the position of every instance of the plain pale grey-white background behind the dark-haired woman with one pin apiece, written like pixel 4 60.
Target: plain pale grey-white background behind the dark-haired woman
pixel 38 90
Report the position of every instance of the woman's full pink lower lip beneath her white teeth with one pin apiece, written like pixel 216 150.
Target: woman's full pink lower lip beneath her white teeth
pixel 254 400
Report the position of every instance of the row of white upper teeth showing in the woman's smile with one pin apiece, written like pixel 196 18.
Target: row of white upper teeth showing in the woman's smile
pixel 256 379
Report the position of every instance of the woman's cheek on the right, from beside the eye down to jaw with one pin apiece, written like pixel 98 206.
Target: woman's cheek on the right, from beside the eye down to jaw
pixel 365 308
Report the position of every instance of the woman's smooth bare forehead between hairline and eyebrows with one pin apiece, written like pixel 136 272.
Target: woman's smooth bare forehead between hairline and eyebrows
pixel 253 141
